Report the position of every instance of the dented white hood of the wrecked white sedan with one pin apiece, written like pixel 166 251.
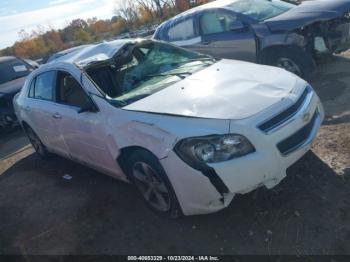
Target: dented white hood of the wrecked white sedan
pixel 228 89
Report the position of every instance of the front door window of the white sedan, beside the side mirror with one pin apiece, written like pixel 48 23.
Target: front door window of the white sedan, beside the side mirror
pixel 69 91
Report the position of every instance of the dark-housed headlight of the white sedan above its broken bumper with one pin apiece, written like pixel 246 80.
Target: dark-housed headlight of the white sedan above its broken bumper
pixel 213 149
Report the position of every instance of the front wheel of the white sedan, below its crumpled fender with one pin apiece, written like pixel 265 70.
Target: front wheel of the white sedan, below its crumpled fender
pixel 152 183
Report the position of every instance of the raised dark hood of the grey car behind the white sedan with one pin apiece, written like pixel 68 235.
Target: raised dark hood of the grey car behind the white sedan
pixel 308 13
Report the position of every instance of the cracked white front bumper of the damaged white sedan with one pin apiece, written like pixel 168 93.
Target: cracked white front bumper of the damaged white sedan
pixel 198 194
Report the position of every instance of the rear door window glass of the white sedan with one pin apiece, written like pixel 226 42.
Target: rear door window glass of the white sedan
pixel 44 86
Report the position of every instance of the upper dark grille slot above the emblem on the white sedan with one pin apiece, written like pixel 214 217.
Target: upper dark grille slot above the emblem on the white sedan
pixel 285 115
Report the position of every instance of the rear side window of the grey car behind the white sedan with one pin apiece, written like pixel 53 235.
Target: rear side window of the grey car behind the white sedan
pixel 182 31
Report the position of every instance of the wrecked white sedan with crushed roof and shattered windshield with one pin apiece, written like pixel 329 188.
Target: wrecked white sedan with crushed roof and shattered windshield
pixel 190 132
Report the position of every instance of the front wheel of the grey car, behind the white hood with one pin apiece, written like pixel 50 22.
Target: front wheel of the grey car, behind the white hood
pixel 292 59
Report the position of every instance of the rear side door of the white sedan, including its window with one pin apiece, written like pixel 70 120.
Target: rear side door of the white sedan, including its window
pixel 42 111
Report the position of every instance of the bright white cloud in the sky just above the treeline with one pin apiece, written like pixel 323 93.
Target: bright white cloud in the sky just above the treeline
pixel 56 16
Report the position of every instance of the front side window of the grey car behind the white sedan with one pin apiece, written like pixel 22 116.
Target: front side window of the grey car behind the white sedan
pixel 216 22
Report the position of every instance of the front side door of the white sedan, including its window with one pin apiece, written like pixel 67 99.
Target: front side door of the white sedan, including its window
pixel 82 125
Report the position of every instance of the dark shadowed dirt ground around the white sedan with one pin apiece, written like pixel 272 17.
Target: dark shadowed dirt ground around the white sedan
pixel 308 213
